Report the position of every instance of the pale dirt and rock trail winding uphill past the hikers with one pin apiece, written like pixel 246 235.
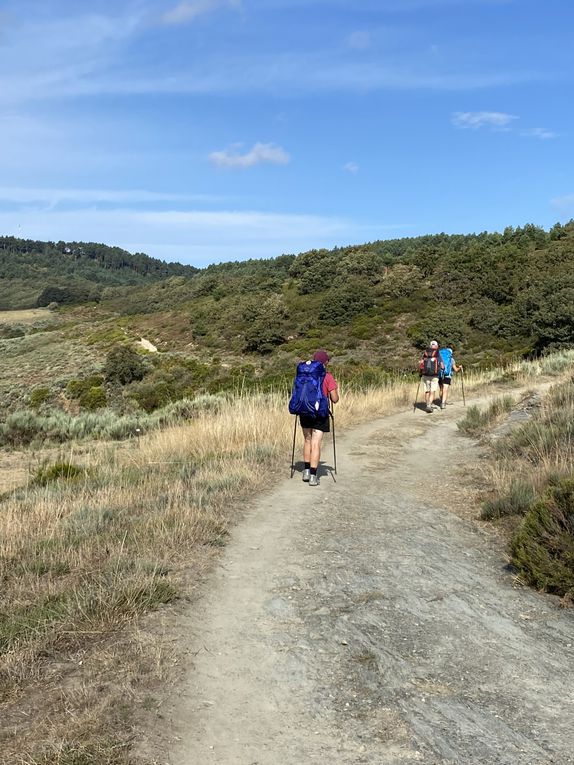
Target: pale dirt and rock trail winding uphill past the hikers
pixel 363 622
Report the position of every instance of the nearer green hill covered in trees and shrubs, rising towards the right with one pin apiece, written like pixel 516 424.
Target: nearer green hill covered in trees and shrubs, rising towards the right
pixel 491 295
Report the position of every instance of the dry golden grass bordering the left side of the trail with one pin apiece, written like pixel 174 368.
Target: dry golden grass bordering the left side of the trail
pixel 86 550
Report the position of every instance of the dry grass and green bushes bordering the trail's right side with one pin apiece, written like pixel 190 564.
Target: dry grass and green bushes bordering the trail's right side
pixel 531 480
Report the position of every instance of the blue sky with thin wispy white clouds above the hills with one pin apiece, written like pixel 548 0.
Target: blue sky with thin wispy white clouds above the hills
pixel 210 130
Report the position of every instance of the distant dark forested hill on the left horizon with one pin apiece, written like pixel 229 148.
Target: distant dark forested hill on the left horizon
pixel 37 273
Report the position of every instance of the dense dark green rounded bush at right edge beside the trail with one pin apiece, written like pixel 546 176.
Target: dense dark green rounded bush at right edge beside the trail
pixel 543 547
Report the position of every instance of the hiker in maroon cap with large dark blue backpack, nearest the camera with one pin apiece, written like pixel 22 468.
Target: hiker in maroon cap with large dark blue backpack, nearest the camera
pixel 314 390
